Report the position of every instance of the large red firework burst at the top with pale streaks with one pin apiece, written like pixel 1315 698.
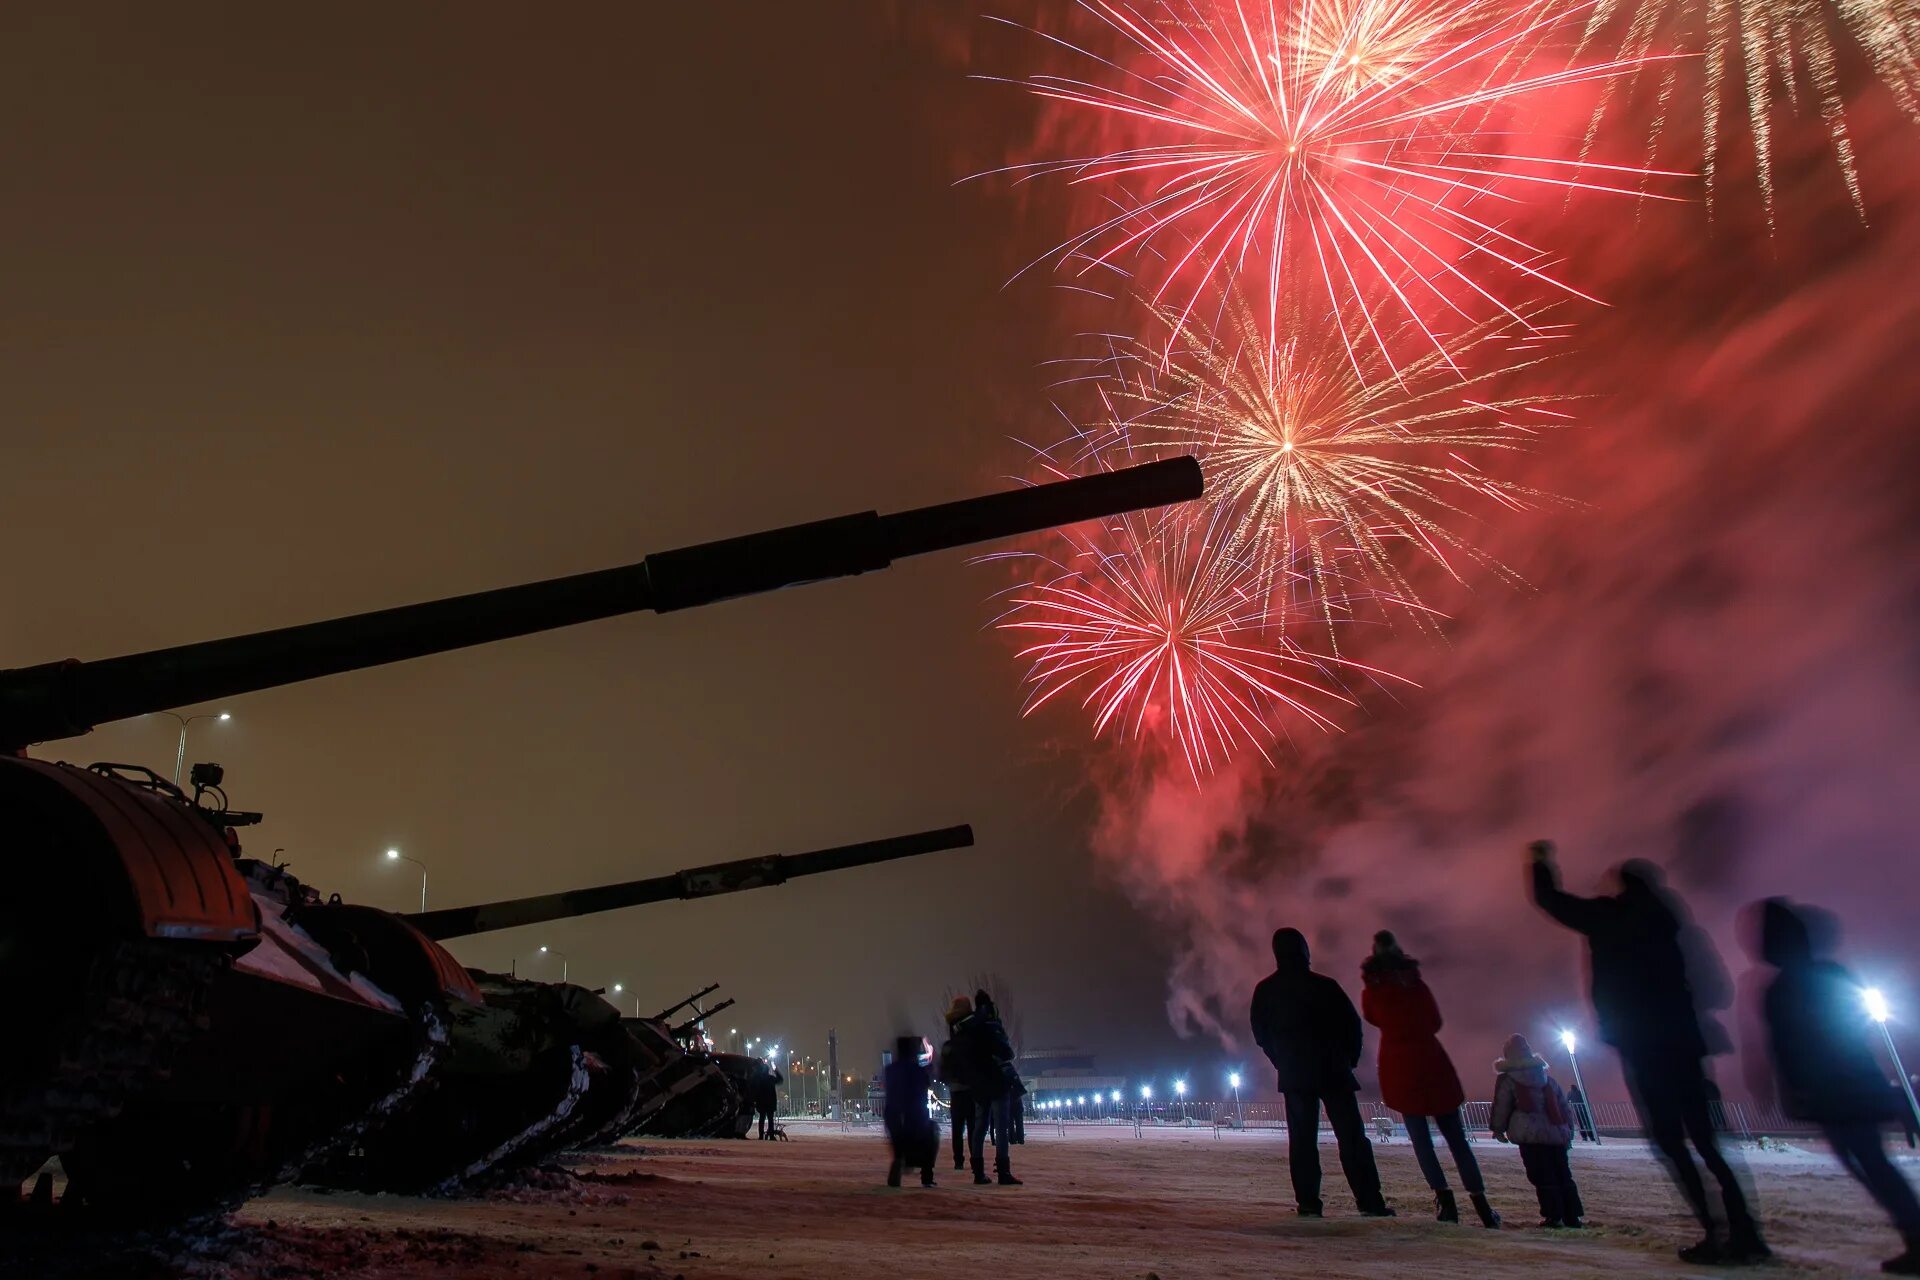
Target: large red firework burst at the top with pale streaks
pixel 1349 145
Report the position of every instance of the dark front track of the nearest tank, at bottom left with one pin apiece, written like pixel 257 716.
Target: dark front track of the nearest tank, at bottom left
pixel 145 999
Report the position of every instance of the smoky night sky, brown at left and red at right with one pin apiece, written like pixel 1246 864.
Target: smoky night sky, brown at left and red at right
pixel 314 316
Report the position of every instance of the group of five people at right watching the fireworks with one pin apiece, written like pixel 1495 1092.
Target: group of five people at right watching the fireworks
pixel 1646 964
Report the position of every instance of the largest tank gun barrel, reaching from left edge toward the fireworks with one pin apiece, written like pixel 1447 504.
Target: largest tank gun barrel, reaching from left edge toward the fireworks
pixel 64 699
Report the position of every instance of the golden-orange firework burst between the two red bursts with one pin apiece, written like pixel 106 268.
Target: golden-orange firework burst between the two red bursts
pixel 1328 473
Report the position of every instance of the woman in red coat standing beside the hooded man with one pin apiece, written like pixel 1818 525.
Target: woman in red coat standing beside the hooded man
pixel 1418 1078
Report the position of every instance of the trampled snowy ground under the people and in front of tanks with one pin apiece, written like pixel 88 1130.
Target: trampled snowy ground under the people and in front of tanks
pixel 1097 1204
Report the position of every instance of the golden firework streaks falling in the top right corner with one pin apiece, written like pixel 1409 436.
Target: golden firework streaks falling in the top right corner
pixel 1767 51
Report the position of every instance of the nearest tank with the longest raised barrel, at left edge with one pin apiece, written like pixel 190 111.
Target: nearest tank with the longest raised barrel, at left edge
pixel 133 928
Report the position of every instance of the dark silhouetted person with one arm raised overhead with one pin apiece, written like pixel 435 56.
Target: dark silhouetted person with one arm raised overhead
pixel 1646 1012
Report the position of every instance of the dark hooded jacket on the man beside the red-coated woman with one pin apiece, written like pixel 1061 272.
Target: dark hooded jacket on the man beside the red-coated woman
pixel 1305 1024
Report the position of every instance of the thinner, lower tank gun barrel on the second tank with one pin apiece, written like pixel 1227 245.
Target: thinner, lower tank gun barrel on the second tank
pixel 721 878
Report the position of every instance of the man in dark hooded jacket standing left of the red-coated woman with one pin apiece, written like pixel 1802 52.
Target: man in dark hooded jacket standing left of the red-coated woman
pixel 1310 1033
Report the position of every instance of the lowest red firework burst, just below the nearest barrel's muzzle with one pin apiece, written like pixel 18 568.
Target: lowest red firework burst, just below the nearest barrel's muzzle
pixel 1163 630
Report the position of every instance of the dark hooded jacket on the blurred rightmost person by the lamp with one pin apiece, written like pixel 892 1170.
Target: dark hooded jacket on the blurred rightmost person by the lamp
pixel 1817 1030
